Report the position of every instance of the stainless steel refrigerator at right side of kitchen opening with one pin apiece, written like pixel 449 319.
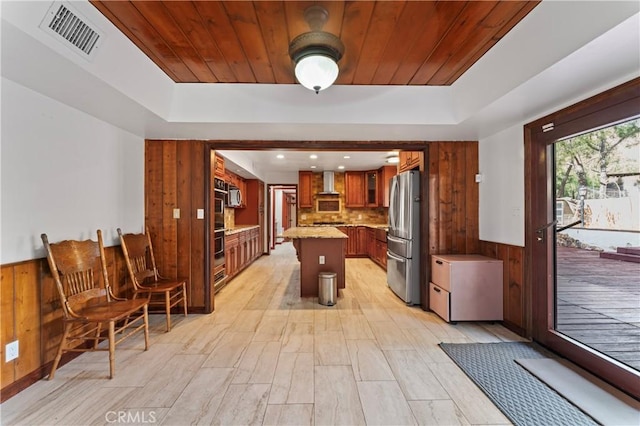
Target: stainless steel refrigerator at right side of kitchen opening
pixel 403 239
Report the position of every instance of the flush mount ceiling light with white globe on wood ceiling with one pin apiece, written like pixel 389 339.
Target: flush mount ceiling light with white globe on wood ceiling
pixel 316 53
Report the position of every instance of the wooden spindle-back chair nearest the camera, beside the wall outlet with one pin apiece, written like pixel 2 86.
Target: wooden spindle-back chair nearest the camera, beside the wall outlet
pixel 79 268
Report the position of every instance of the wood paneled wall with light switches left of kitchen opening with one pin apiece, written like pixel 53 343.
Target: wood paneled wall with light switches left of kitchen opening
pixel 175 177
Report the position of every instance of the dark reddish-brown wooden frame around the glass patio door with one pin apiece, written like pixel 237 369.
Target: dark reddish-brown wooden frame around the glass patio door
pixel 601 110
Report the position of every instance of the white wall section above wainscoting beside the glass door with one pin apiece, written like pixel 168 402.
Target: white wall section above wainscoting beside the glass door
pixel 501 161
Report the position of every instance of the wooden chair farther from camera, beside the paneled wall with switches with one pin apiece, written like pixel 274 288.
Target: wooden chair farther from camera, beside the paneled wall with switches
pixel 147 281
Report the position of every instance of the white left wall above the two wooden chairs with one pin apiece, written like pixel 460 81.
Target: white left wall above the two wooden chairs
pixel 64 173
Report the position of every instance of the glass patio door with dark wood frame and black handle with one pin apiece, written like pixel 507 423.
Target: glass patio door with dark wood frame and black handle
pixel 582 183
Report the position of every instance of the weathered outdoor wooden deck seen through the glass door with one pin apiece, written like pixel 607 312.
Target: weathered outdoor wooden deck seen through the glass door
pixel 599 303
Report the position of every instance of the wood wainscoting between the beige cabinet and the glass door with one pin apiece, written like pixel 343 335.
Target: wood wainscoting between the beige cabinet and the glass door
pixel 516 301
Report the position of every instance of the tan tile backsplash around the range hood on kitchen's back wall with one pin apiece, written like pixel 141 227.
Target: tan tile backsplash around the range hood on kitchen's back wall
pixel 346 215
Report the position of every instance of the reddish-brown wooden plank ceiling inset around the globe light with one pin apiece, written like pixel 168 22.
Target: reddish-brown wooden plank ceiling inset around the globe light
pixel 386 42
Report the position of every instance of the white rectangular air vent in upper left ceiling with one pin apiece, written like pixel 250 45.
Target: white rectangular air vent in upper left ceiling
pixel 74 30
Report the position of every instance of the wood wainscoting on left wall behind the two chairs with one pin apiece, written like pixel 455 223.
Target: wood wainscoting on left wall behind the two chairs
pixel 31 314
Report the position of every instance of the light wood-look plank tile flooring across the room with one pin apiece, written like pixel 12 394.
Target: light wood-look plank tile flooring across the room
pixel 266 356
